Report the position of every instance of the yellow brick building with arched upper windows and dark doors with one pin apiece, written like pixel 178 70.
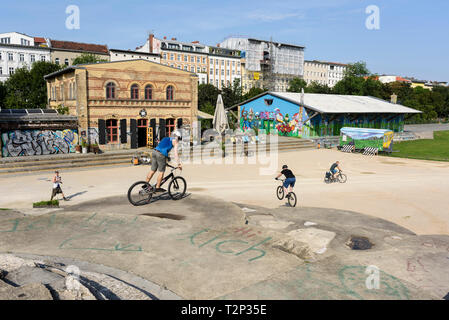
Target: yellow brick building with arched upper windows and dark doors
pixel 124 104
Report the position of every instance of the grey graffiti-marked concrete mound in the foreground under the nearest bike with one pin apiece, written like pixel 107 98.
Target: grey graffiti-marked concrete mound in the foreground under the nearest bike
pixel 203 248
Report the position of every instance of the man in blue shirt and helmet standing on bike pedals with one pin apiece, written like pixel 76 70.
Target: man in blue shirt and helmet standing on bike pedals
pixel 159 157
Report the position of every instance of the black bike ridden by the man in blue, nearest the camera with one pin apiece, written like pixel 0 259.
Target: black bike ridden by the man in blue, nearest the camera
pixel 141 192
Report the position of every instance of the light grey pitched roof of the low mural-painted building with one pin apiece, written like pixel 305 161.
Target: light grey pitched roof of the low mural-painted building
pixel 334 103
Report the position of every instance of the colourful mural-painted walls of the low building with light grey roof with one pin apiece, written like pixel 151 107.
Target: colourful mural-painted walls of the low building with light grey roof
pixel 271 113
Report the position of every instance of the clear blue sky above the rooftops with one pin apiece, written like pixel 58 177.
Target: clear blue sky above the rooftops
pixel 412 40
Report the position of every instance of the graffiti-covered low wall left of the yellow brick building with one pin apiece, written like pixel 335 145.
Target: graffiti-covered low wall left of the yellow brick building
pixel 38 142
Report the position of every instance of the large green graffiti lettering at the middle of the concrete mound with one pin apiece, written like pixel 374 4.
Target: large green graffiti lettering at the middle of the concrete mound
pixel 225 243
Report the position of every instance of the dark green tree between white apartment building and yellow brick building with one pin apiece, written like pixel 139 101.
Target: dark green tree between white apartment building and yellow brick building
pixel 27 89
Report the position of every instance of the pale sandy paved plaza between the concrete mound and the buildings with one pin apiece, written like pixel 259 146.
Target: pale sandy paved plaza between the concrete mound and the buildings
pixel 411 193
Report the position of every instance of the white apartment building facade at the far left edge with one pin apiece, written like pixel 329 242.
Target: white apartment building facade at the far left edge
pixel 18 50
